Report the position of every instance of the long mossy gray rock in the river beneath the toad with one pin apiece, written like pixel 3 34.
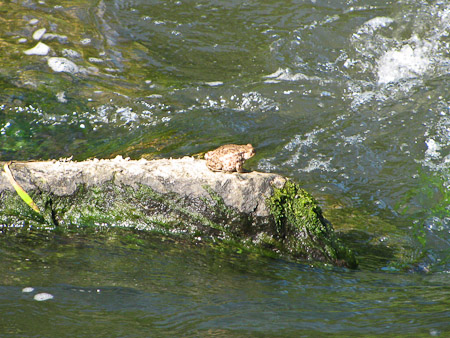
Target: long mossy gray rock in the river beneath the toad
pixel 249 211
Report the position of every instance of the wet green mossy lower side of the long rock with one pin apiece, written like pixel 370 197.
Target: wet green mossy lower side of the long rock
pixel 295 230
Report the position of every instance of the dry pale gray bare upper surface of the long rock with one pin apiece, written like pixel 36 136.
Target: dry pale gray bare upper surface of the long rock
pixel 187 176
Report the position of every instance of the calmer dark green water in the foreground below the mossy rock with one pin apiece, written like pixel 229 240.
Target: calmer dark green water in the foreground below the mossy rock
pixel 123 285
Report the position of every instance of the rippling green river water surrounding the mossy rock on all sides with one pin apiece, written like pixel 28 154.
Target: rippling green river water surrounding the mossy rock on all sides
pixel 349 98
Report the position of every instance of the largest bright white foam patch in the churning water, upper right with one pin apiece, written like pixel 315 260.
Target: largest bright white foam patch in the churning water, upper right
pixel 401 64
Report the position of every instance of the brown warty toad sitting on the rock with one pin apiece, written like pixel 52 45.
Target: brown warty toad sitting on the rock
pixel 229 157
